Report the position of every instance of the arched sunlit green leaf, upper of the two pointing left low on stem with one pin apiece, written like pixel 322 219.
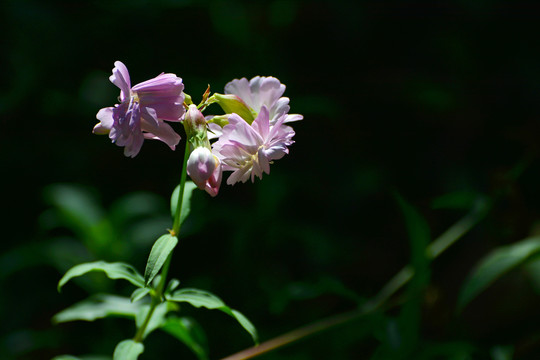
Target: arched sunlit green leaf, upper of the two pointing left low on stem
pixel 112 270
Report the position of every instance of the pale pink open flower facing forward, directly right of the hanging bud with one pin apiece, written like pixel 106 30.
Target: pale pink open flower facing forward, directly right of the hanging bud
pixel 247 150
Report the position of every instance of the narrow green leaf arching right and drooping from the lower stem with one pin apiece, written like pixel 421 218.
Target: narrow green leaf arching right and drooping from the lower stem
pixel 200 298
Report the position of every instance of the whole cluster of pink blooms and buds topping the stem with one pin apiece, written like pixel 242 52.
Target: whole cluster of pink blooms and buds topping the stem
pixel 251 134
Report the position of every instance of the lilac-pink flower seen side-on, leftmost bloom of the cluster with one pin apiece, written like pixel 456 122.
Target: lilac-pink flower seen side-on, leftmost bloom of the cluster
pixel 142 110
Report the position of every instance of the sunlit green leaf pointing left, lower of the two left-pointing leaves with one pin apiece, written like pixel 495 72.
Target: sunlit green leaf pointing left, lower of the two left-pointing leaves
pixel 97 307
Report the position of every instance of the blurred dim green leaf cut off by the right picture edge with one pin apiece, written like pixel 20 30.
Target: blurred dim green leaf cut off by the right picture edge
pixel 494 265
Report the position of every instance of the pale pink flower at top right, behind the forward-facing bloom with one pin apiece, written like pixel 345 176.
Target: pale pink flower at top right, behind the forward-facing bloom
pixel 263 91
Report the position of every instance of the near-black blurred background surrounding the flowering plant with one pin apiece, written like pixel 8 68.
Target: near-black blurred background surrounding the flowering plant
pixel 422 98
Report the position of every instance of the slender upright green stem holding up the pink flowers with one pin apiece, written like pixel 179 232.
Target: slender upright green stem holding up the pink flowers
pixel 157 296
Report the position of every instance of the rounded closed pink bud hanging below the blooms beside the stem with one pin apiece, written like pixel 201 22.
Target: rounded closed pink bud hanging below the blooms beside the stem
pixel 204 169
